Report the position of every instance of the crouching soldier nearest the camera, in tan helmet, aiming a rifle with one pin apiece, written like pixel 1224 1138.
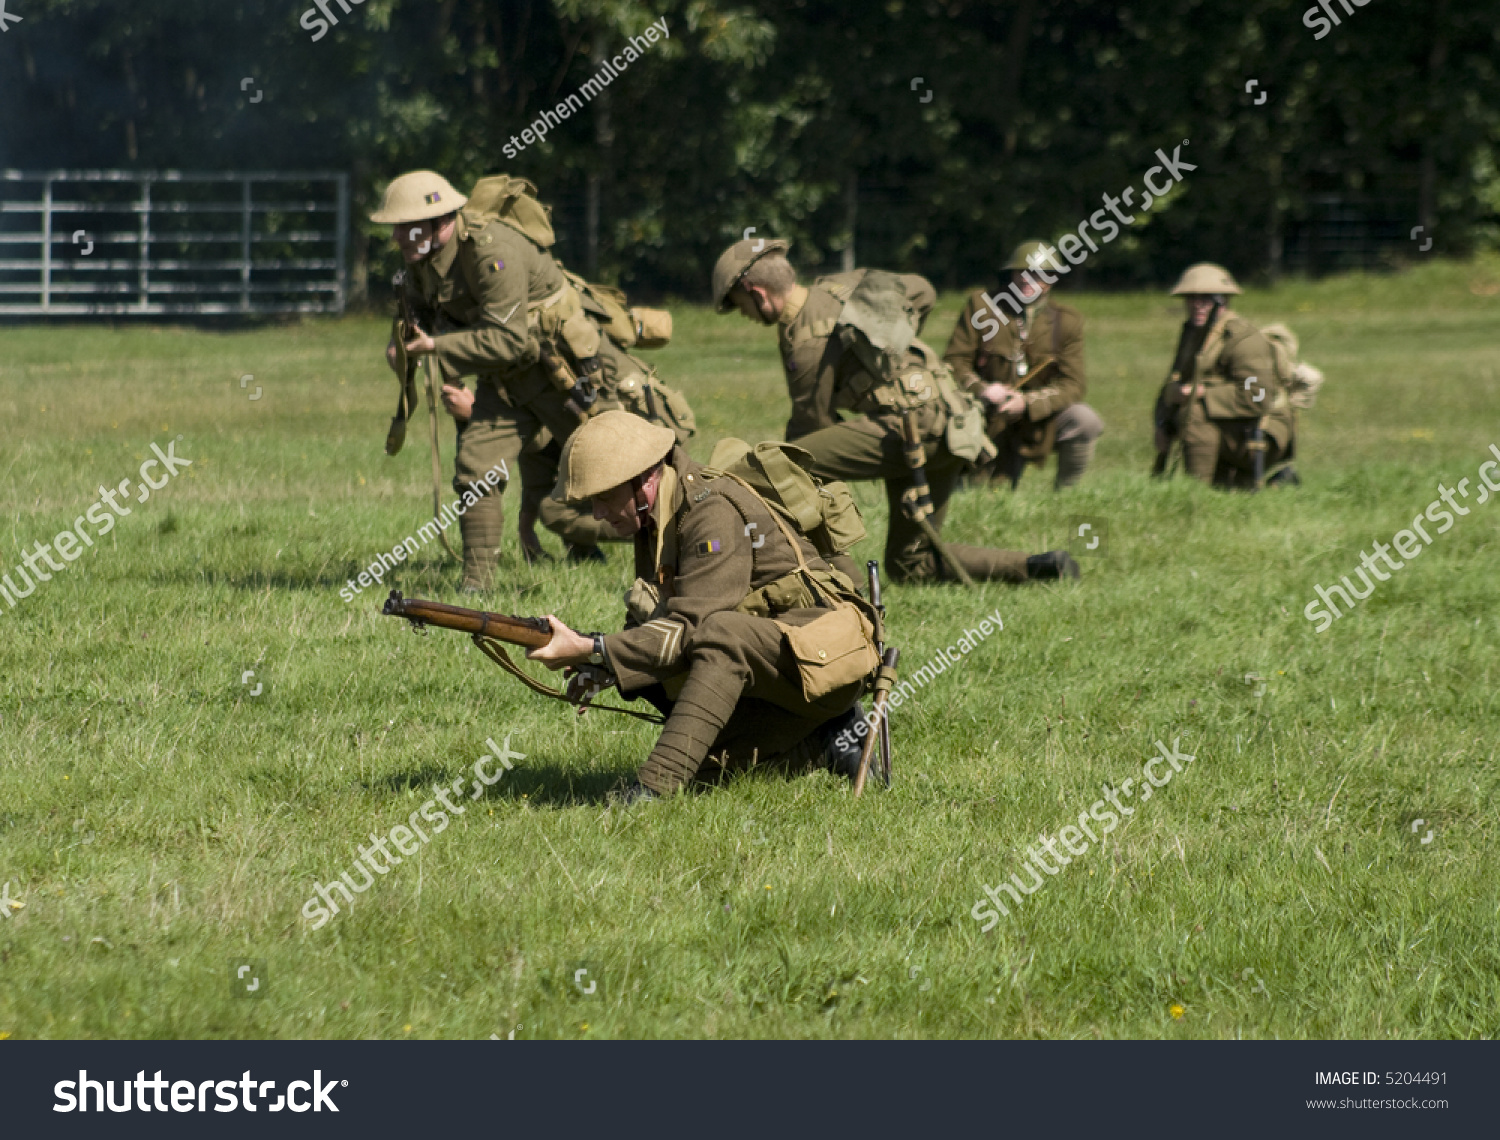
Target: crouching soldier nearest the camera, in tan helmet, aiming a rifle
pixel 754 647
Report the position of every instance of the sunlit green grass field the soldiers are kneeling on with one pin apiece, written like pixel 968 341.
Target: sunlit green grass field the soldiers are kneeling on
pixel 157 821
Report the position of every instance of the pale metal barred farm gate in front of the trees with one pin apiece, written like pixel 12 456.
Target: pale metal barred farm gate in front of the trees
pixel 173 244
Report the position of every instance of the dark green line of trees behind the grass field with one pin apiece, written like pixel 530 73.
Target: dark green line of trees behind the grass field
pixel 925 136
